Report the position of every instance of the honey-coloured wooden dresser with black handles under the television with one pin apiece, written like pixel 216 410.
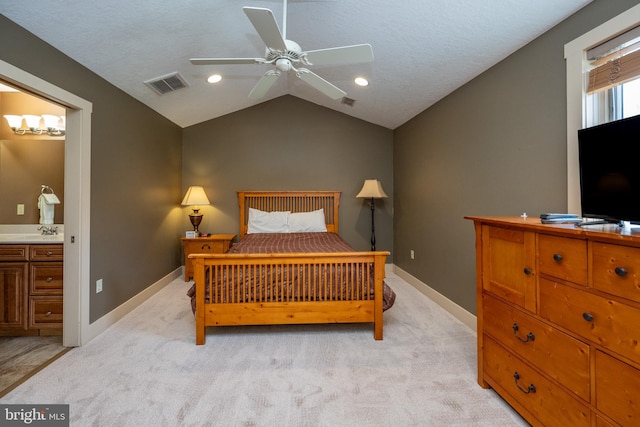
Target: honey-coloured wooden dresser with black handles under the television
pixel 559 320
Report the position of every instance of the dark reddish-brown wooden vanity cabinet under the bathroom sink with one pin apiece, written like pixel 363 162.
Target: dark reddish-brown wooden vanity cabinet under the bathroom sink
pixel 31 279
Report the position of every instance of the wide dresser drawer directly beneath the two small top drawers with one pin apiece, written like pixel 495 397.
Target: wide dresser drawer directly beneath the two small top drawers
pixel 606 322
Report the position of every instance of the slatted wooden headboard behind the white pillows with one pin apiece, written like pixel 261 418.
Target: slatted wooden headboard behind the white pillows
pixel 294 201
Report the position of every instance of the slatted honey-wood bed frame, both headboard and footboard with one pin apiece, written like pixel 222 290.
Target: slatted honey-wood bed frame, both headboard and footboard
pixel 318 303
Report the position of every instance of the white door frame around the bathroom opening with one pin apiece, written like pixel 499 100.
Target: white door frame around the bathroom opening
pixel 77 206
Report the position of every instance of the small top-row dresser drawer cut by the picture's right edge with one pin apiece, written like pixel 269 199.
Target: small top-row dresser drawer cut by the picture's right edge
pixel 616 269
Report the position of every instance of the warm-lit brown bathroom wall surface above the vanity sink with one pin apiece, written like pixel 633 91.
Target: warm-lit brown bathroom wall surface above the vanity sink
pixel 28 161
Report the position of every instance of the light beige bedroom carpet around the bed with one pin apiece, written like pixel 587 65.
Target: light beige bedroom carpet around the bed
pixel 146 371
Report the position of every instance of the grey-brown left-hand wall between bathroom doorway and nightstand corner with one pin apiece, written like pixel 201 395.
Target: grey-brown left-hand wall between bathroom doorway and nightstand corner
pixel 135 174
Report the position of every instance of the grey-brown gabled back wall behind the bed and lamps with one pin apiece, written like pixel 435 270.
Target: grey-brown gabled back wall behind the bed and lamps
pixel 291 144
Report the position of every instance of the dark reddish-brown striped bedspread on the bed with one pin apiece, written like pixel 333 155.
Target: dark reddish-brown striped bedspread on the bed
pixel 295 243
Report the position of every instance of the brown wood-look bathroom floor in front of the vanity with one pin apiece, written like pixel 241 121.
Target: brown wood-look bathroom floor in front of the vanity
pixel 22 357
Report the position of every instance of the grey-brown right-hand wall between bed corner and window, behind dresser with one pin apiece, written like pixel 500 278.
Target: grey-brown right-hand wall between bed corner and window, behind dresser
pixel 496 146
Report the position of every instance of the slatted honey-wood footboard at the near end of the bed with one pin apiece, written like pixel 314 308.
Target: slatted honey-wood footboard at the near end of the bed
pixel 303 288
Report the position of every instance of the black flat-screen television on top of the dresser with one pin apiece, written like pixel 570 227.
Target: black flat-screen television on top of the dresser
pixel 610 170
